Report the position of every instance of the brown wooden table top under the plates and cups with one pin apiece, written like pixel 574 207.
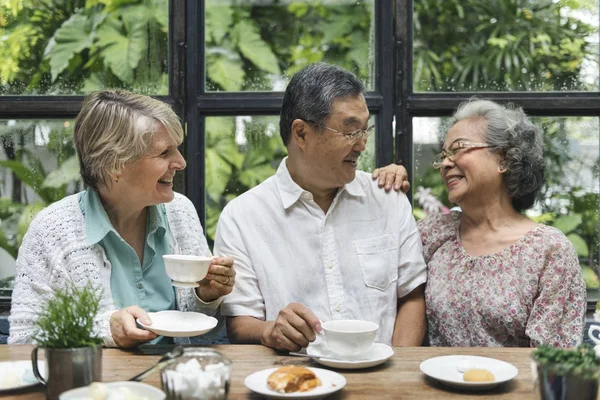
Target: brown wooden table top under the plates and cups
pixel 399 378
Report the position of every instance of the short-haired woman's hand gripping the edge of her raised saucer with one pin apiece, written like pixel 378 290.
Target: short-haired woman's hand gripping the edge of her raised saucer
pixel 124 329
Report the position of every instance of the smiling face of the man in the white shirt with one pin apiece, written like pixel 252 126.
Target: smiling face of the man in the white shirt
pixel 330 158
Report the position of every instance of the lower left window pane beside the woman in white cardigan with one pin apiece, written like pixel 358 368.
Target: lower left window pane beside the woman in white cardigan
pixel 38 166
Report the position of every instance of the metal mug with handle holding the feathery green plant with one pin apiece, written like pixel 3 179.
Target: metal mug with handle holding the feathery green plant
pixel 68 368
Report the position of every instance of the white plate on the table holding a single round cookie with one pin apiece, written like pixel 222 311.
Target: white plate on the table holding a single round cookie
pixel 444 369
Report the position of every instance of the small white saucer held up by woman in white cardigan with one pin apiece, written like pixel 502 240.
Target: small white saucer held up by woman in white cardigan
pixel 173 323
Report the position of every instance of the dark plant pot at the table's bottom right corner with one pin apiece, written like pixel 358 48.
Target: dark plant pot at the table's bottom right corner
pixel 550 385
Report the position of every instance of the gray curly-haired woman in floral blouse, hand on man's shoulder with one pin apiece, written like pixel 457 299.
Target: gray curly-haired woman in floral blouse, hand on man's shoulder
pixel 495 277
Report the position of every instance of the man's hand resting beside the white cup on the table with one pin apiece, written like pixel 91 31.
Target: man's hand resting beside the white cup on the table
pixel 294 328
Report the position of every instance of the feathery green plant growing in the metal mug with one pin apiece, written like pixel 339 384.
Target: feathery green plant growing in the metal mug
pixel 67 320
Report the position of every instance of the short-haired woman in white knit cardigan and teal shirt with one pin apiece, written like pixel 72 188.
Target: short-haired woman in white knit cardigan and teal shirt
pixel 115 233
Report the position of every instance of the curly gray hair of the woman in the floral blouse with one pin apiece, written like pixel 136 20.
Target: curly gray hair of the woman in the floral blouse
pixel 519 143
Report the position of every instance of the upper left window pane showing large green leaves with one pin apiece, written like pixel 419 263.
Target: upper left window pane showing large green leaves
pixel 74 47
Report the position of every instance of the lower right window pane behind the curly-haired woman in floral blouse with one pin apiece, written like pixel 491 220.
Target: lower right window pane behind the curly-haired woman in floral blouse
pixel 571 150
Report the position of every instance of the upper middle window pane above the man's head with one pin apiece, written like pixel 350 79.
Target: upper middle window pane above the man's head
pixel 256 45
